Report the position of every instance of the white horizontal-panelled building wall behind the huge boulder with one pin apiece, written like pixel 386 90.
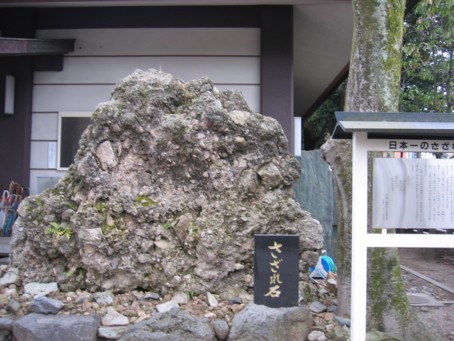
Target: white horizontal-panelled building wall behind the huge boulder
pixel 230 57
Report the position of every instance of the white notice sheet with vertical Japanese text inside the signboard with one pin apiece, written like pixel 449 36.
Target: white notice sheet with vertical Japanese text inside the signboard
pixel 413 193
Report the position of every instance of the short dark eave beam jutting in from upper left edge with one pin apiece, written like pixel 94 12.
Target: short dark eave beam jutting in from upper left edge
pixel 34 47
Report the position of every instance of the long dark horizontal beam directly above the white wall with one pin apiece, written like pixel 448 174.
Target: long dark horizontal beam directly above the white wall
pixel 146 16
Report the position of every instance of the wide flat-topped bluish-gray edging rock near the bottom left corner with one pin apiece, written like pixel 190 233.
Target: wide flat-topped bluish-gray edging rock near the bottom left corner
pixel 37 327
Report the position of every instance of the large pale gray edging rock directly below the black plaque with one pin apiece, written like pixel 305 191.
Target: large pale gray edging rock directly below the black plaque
pixel 261 323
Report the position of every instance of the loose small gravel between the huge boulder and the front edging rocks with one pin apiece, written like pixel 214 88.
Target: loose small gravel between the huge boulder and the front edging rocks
pixel 139 305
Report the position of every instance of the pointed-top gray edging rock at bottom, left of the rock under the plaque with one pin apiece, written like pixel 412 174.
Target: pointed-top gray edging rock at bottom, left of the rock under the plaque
pixel 174 325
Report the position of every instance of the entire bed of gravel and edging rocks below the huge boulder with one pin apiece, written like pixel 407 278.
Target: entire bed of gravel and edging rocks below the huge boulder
pixel 140 315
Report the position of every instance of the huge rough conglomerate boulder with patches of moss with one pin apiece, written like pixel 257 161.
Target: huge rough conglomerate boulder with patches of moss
pixel 170 183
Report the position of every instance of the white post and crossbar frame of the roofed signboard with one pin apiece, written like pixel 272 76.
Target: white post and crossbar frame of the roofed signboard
pixel 361 239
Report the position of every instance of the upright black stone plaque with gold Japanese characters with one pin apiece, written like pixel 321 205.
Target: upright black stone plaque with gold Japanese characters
pixel 276 270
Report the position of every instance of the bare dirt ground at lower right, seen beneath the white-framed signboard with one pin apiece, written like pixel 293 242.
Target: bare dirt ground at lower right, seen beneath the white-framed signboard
pixel 437 264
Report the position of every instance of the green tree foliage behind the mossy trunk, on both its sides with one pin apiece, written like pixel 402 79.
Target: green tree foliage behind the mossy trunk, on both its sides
pixel 427 77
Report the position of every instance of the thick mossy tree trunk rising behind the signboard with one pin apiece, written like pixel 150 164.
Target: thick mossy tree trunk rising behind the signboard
pixel 373 86
